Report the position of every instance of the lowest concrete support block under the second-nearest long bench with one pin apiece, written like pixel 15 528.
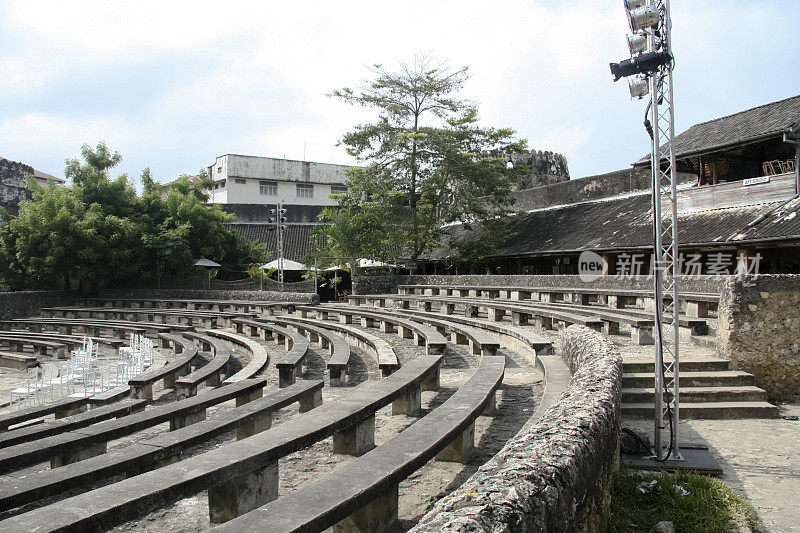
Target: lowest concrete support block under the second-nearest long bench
pixel 242 494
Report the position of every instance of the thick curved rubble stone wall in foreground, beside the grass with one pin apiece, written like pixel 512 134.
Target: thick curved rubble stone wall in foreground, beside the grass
pixel 555 475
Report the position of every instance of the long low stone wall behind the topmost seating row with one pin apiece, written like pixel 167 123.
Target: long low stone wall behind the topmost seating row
pixel 388 284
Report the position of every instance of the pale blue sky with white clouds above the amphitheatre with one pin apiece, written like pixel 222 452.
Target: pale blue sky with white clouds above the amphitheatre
pixel 171 85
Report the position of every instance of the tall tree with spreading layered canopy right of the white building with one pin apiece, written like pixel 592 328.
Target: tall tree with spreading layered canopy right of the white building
pixel 426 160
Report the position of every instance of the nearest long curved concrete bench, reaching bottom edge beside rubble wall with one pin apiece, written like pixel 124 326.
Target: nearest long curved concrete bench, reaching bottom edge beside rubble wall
pixel 363 495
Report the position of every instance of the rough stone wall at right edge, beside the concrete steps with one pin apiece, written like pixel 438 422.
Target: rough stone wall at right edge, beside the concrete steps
pixel 759 330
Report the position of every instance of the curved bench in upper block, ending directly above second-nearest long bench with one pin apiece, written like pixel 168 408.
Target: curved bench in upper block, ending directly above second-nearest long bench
pixel 423 335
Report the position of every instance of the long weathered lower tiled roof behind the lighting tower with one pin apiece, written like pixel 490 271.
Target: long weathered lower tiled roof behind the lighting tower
pixel 624 223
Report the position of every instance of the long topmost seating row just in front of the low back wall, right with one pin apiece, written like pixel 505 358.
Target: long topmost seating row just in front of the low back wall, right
pixel 697 304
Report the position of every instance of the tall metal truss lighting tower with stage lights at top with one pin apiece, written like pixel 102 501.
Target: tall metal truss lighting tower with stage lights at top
pixel 650 71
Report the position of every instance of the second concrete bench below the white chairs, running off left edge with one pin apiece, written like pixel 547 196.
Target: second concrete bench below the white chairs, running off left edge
pixel 70 423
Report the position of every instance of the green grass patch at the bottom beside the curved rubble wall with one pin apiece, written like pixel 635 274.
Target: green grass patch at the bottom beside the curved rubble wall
pixel 709 507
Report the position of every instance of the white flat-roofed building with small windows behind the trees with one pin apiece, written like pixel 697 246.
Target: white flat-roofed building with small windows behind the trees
pixel 244 179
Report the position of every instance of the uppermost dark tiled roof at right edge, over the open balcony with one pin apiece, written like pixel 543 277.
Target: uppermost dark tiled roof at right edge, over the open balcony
pixel 740 128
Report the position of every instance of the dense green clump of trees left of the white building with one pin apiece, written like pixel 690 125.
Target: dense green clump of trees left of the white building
pixel 99 231
